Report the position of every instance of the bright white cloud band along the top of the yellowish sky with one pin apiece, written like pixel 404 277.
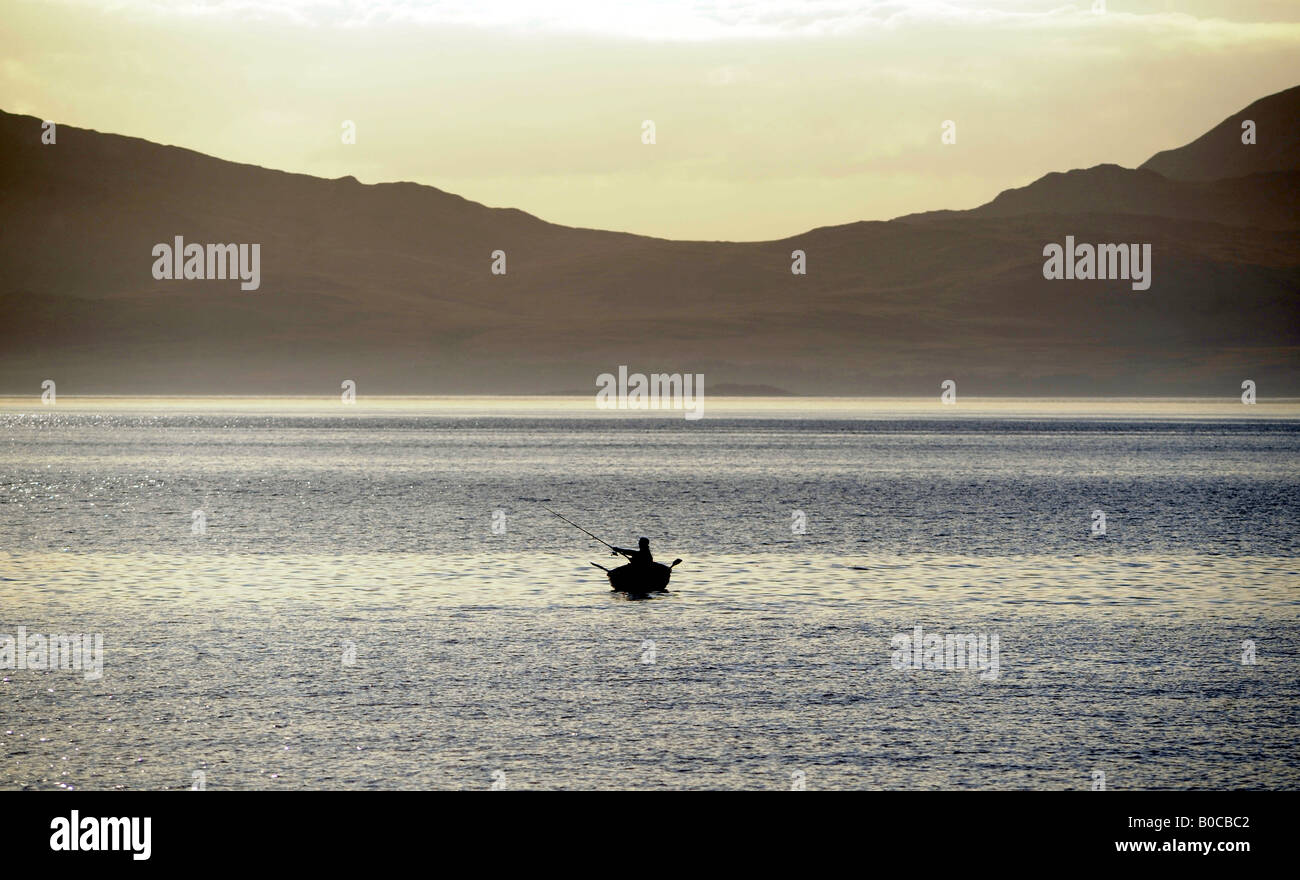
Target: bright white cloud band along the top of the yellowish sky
pixel 731 20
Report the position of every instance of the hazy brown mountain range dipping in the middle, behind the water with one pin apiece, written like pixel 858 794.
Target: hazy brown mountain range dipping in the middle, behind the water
pixel 391 285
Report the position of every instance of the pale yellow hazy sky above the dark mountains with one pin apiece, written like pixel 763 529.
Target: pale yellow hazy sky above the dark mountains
pixel 772 118
